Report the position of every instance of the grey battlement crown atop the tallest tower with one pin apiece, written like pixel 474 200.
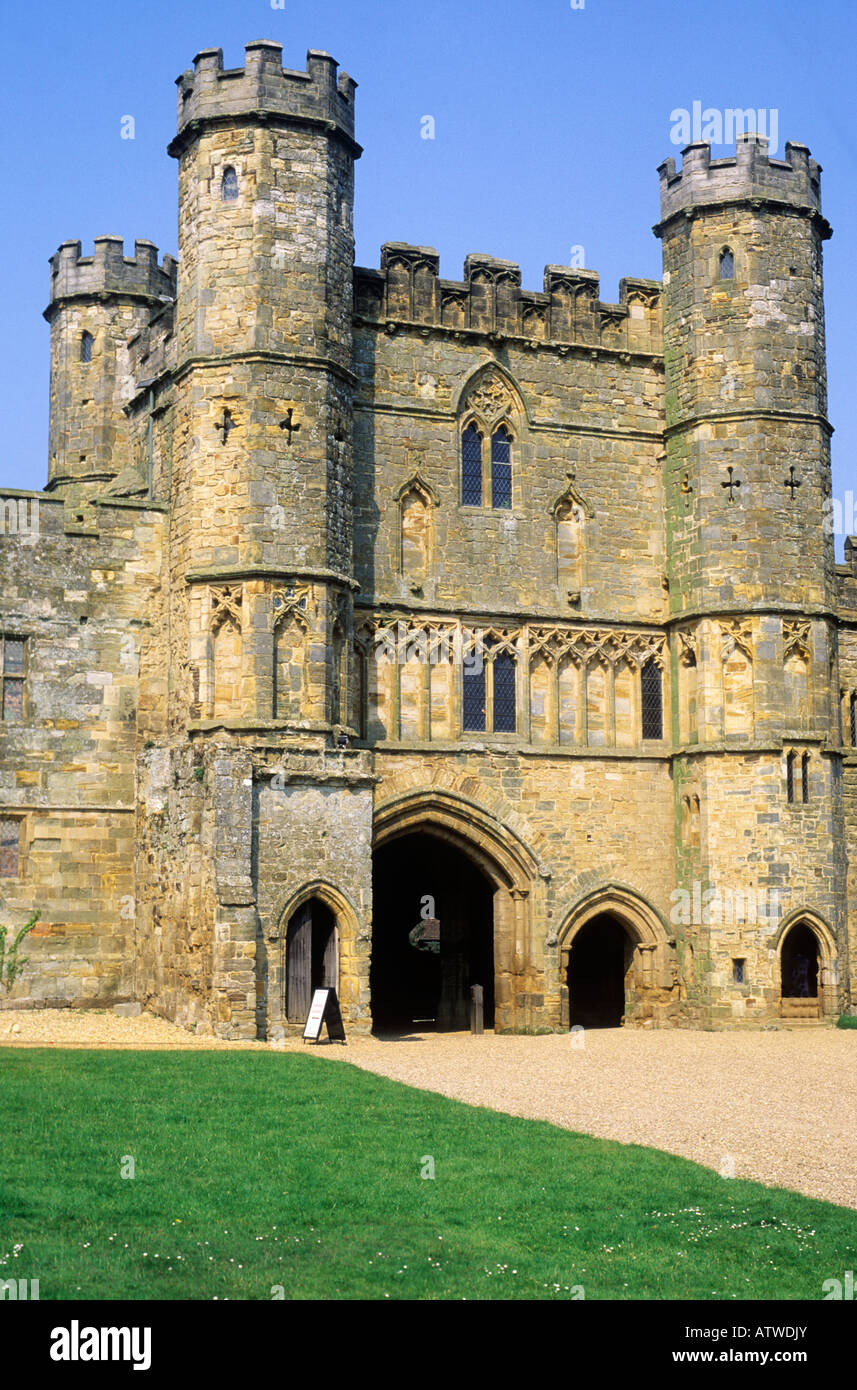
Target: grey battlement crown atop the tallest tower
pixel 263 88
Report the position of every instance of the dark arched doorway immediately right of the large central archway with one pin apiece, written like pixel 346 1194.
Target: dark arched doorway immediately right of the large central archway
pixel 601 957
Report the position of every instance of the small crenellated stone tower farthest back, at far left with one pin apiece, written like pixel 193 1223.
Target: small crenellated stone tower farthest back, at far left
pixel 97 305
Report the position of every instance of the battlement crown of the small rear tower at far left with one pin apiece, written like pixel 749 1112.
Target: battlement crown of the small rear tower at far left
pixel 109 272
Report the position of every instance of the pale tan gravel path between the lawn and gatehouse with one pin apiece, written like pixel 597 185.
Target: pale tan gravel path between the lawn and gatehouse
pixel 779 1107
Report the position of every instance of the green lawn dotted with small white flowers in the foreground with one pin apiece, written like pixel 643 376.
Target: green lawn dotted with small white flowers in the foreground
pixel 278 1170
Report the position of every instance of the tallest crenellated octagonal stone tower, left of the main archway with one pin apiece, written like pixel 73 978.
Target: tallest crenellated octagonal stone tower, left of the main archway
pixel 262 486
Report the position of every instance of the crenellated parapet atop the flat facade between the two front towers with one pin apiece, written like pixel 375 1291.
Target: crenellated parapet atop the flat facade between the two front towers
pixel 409 290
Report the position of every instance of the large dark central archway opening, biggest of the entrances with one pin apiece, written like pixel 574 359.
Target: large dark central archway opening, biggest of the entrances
pixel 433 935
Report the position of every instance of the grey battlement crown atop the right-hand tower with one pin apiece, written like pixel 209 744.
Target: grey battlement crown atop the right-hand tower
pixel 747 176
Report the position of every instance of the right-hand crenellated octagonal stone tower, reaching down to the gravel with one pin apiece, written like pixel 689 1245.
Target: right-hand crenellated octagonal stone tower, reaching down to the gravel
pixel 751 565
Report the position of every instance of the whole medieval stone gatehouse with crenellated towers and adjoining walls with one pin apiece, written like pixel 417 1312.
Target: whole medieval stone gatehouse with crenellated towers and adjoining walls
pixel 365 600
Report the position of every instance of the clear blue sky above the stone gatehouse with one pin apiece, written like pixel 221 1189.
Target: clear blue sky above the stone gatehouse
pixel 549 129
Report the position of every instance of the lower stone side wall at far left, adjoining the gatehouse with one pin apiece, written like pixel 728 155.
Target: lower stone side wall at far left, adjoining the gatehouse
pixel 78 598
